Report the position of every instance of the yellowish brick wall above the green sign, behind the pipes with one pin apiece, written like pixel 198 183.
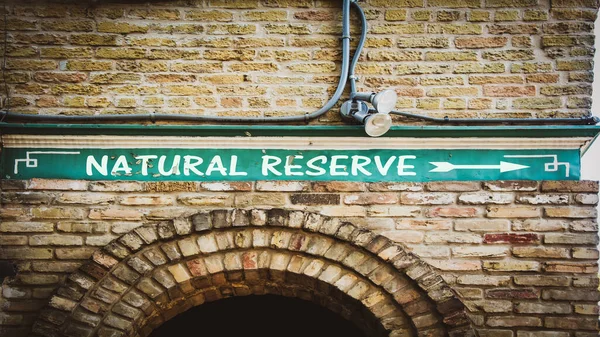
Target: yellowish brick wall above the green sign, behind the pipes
pixel 484 58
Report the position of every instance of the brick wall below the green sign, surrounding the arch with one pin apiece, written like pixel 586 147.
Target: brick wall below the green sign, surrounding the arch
pixel 522 256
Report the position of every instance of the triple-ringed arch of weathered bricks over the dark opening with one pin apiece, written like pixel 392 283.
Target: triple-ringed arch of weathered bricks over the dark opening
pixel 152 273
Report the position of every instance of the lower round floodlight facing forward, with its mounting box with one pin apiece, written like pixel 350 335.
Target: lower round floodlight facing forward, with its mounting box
pixel 376 124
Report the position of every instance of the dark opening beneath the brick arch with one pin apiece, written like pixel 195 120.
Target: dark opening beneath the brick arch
pixel 264 316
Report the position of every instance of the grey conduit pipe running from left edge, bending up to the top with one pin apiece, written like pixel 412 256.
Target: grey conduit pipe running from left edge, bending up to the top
pixel 6 116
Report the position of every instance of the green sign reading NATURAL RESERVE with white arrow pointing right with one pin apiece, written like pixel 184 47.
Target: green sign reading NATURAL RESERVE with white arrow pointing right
pixel 247 164
